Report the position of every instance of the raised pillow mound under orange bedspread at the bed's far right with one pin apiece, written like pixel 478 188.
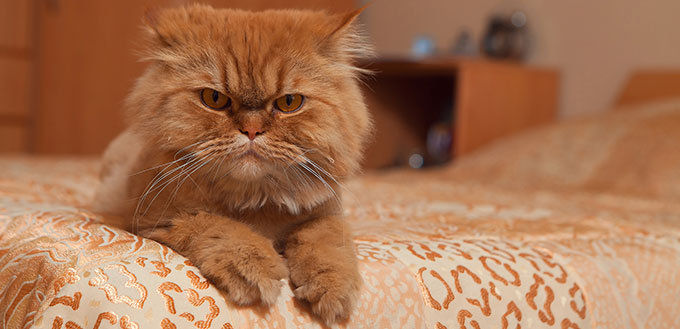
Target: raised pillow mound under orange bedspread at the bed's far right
pixel 633 151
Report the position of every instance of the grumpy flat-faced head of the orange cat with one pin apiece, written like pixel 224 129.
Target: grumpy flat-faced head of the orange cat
pixel 268 100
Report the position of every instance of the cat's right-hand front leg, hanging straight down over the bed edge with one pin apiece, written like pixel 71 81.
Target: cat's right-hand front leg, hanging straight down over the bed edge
pixel 323 267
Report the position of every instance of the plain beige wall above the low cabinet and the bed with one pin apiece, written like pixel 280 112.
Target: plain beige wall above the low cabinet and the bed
pixel 595 44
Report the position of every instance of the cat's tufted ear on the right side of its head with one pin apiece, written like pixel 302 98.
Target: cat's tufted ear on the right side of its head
pixel 345 40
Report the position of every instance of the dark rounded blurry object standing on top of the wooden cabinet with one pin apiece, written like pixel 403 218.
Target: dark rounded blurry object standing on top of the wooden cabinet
pixel 506 37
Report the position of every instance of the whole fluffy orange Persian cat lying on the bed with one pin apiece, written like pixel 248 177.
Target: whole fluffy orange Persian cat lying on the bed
pixel 239 132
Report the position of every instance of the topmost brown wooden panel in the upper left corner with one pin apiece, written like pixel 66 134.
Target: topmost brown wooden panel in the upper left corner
pixel 15 27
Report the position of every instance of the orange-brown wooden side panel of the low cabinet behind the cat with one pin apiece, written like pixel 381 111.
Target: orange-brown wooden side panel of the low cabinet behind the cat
pixel 496 99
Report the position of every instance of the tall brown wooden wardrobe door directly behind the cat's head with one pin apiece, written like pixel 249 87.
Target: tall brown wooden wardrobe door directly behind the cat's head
pixel 86 66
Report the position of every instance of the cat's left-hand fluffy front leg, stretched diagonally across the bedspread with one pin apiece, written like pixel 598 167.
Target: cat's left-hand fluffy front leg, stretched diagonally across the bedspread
pixel 228 253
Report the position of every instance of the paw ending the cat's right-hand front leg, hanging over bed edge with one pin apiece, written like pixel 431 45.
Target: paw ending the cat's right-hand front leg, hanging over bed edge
pixel 332 293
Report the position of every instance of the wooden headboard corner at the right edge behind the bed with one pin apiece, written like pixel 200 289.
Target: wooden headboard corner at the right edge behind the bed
pixel 650 85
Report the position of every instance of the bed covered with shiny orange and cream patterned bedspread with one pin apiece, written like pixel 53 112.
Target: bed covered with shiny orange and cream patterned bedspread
pixel 575 225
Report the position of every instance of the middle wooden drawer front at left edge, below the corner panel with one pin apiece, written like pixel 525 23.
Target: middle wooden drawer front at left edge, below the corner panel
pixel 14 86
